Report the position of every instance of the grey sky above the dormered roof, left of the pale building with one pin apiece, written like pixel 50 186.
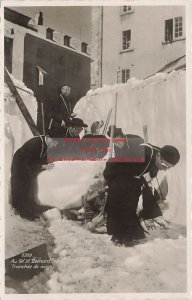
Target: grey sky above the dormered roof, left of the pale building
pixel 74 20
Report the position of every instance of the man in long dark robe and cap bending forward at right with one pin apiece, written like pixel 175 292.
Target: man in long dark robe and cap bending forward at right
pixel 126 183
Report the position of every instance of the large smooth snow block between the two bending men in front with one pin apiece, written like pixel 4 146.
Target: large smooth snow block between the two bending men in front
pixel 67 182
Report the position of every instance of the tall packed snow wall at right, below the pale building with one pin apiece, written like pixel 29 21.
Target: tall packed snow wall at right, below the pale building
pixel 158 102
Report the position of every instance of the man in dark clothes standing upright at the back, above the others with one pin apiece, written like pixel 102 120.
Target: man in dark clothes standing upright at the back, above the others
pixel 62 113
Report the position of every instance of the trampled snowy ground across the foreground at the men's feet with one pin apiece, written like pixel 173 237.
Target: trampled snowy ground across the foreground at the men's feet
pixel 85 262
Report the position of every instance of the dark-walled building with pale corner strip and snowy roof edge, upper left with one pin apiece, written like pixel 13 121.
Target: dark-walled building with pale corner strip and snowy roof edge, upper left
pixel 28 50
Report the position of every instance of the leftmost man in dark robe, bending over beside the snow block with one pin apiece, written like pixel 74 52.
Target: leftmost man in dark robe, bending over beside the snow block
pixel 28 161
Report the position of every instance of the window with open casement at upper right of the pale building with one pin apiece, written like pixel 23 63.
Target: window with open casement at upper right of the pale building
pixel 173 29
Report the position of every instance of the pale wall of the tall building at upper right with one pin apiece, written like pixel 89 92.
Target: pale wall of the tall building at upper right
pixel 148 52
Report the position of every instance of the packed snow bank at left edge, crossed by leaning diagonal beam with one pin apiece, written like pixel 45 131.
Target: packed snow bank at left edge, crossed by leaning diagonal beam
pixel 17 131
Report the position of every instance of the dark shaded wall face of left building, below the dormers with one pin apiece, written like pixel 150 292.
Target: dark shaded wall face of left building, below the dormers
pixel 63 67
